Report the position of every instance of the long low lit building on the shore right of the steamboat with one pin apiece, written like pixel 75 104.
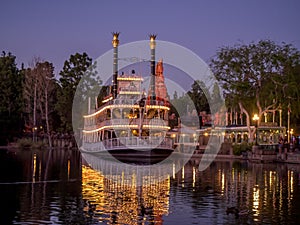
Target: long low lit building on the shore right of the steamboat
pixel 234 131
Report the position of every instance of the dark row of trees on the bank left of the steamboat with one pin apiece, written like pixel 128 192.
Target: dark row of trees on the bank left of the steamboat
pixel 33 102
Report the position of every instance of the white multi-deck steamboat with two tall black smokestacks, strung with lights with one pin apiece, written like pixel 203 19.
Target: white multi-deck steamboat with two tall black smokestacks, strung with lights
pixel 131 122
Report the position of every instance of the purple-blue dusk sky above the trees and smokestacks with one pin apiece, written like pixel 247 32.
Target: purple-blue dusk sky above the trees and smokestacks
pixel 55 29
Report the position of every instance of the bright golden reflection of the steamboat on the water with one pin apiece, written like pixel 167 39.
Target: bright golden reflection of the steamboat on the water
pixel 129 194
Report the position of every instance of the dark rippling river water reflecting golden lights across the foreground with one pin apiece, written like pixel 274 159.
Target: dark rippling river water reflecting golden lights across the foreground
pixel 58 187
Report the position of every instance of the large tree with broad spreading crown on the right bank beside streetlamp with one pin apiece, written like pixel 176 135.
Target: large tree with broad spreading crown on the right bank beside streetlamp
pixel 255 77
